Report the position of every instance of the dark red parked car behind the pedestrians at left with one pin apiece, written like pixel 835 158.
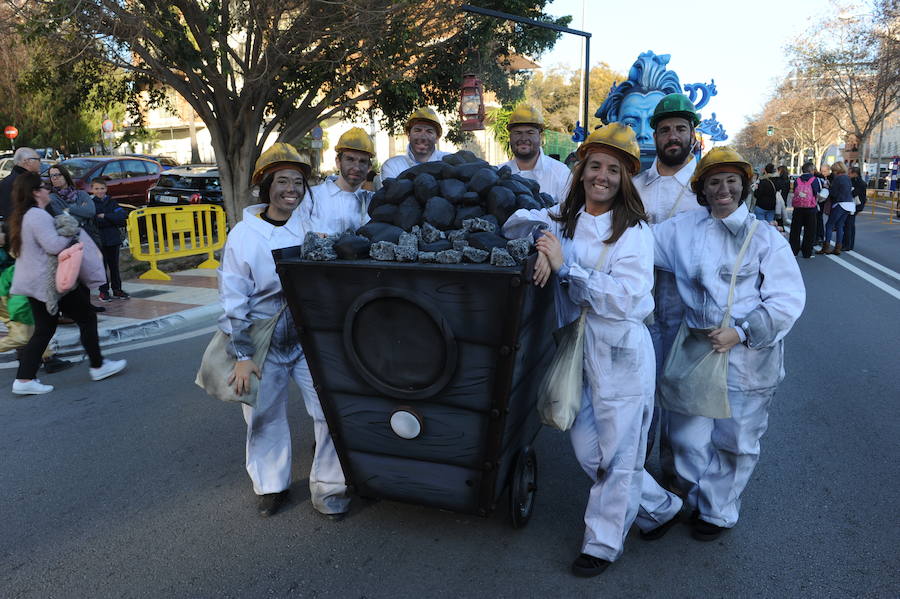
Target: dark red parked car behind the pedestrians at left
pixel 129 178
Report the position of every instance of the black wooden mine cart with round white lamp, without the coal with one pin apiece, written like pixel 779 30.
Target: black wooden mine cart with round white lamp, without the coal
pixel 427 374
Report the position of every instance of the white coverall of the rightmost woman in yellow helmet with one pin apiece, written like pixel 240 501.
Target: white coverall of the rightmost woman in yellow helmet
pixel 714 458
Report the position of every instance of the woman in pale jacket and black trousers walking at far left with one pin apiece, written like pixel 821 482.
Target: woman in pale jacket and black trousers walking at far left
pixel 32 240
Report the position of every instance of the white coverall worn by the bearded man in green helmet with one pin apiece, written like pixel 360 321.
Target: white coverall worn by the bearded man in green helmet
pixel 664 196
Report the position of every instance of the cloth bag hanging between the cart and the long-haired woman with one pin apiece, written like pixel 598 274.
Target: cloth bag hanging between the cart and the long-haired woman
pixel 559 394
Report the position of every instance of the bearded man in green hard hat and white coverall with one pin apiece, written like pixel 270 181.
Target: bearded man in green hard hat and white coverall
pixel 665 191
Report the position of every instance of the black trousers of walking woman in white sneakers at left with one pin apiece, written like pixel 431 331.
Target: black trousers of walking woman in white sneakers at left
pixel 76 305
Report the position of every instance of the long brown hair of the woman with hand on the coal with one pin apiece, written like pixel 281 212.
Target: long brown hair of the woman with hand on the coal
pixel 627 207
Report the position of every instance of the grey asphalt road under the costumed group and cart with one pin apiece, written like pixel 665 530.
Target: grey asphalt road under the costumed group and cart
pixel 134 487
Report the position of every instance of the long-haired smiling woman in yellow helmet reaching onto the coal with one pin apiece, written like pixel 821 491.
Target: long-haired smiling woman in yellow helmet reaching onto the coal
pixel 600 247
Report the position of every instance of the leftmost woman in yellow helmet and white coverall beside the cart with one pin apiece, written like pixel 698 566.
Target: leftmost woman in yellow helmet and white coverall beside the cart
pixel 250 289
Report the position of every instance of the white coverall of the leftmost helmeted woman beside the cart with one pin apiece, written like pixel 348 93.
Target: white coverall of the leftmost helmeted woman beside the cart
pixel 250 289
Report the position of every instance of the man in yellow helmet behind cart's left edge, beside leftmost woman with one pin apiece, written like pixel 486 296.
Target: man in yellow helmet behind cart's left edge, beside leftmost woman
pixel 340 203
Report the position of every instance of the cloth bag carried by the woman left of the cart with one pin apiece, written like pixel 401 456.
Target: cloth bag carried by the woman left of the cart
pixel 217 363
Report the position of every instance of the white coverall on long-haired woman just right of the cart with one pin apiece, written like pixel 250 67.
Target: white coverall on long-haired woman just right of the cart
pixel 610 432
